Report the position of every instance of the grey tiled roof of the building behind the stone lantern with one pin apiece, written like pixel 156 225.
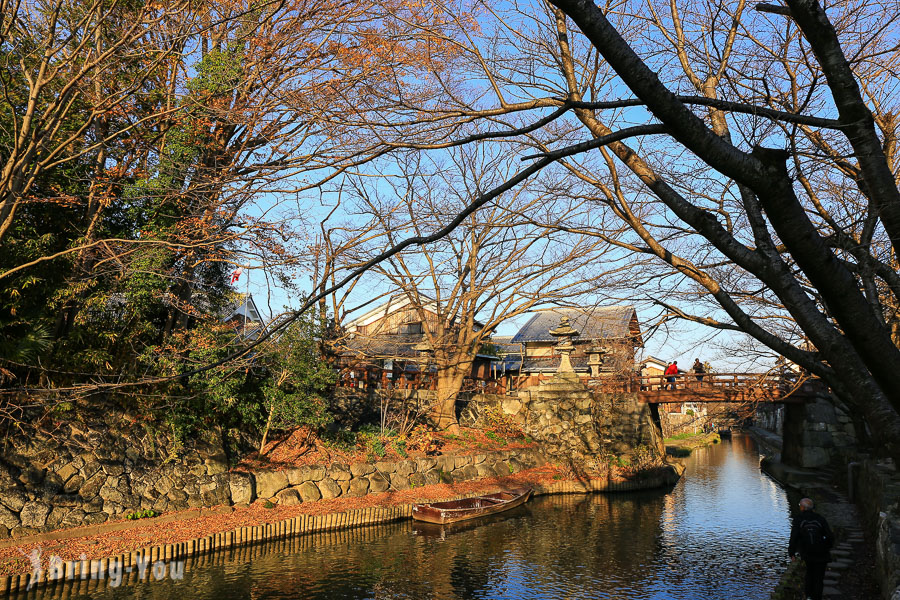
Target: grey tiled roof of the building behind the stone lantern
pixel 601 323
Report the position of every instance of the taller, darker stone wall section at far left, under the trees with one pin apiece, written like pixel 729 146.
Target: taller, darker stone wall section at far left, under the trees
pixel 86 474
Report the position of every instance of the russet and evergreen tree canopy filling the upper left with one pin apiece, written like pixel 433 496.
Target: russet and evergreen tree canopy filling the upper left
pixel 148 149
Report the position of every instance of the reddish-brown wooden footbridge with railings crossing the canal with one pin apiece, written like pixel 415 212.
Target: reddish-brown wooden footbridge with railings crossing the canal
pixel 714 387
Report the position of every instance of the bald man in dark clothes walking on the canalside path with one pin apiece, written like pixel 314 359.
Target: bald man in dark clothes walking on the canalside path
pixel 811 538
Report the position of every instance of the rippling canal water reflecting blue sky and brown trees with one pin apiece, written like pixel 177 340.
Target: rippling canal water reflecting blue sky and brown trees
pixel 721 532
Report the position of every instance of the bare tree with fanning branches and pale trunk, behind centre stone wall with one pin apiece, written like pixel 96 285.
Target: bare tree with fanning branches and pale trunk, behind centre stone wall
pixel 504 260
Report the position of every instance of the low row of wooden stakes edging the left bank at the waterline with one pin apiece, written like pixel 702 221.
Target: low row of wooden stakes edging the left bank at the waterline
pixel 152 562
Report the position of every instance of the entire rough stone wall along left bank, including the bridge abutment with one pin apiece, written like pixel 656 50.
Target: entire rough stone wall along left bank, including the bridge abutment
pixel 108 465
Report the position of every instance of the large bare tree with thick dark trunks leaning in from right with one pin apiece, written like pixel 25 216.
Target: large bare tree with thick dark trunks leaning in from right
pixel 751 152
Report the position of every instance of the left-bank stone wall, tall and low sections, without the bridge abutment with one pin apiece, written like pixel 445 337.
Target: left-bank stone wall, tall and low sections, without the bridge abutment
pixel 89 474
